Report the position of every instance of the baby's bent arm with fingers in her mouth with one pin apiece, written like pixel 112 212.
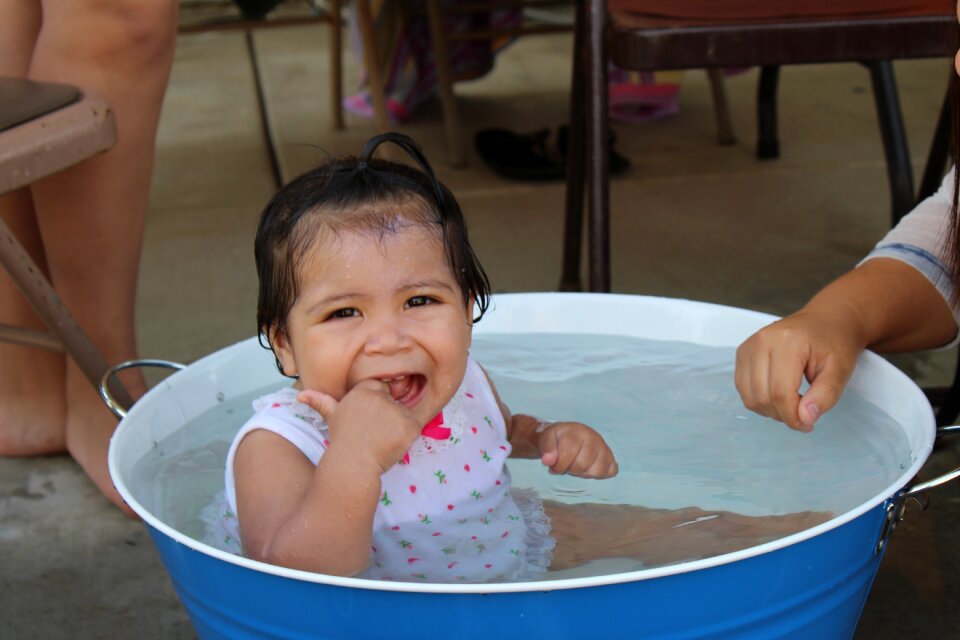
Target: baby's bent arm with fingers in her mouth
pixel 321 518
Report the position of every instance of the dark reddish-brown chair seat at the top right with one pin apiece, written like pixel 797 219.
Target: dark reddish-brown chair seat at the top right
pixel 661 34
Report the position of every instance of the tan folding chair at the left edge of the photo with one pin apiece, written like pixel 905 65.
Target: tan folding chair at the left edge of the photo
pixel 44 129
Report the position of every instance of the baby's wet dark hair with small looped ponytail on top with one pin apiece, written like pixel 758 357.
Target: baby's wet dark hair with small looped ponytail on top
pixel 351 193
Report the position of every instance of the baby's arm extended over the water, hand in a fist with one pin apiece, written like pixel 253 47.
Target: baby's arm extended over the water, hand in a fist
pixel 565 447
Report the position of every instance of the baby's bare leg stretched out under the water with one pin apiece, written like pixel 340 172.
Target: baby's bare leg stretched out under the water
pixel 586 532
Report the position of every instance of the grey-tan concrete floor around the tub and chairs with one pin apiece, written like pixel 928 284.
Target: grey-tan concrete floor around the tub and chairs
pixel 691 219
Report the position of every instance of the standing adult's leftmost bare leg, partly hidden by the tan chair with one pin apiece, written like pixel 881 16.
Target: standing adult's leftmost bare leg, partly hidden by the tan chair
pixel 32 384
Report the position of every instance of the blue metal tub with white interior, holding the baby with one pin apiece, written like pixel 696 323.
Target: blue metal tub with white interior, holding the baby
pixel 809 585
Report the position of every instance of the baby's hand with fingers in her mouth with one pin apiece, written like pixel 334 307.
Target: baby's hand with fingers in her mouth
pixel 367 423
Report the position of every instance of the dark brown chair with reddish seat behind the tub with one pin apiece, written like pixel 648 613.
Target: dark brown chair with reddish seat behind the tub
pixel 661 34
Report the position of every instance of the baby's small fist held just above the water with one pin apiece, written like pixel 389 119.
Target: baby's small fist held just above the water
pixel 576 449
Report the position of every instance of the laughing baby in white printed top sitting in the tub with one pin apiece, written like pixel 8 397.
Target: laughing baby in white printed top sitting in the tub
pixel 386 458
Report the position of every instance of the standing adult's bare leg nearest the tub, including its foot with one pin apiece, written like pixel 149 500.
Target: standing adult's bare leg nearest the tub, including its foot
pixel 91 216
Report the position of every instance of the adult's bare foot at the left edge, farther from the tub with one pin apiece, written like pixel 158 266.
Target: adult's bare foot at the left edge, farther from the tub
pixel 32 401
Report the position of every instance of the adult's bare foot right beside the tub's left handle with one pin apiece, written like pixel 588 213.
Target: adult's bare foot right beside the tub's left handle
pixel 90 426
